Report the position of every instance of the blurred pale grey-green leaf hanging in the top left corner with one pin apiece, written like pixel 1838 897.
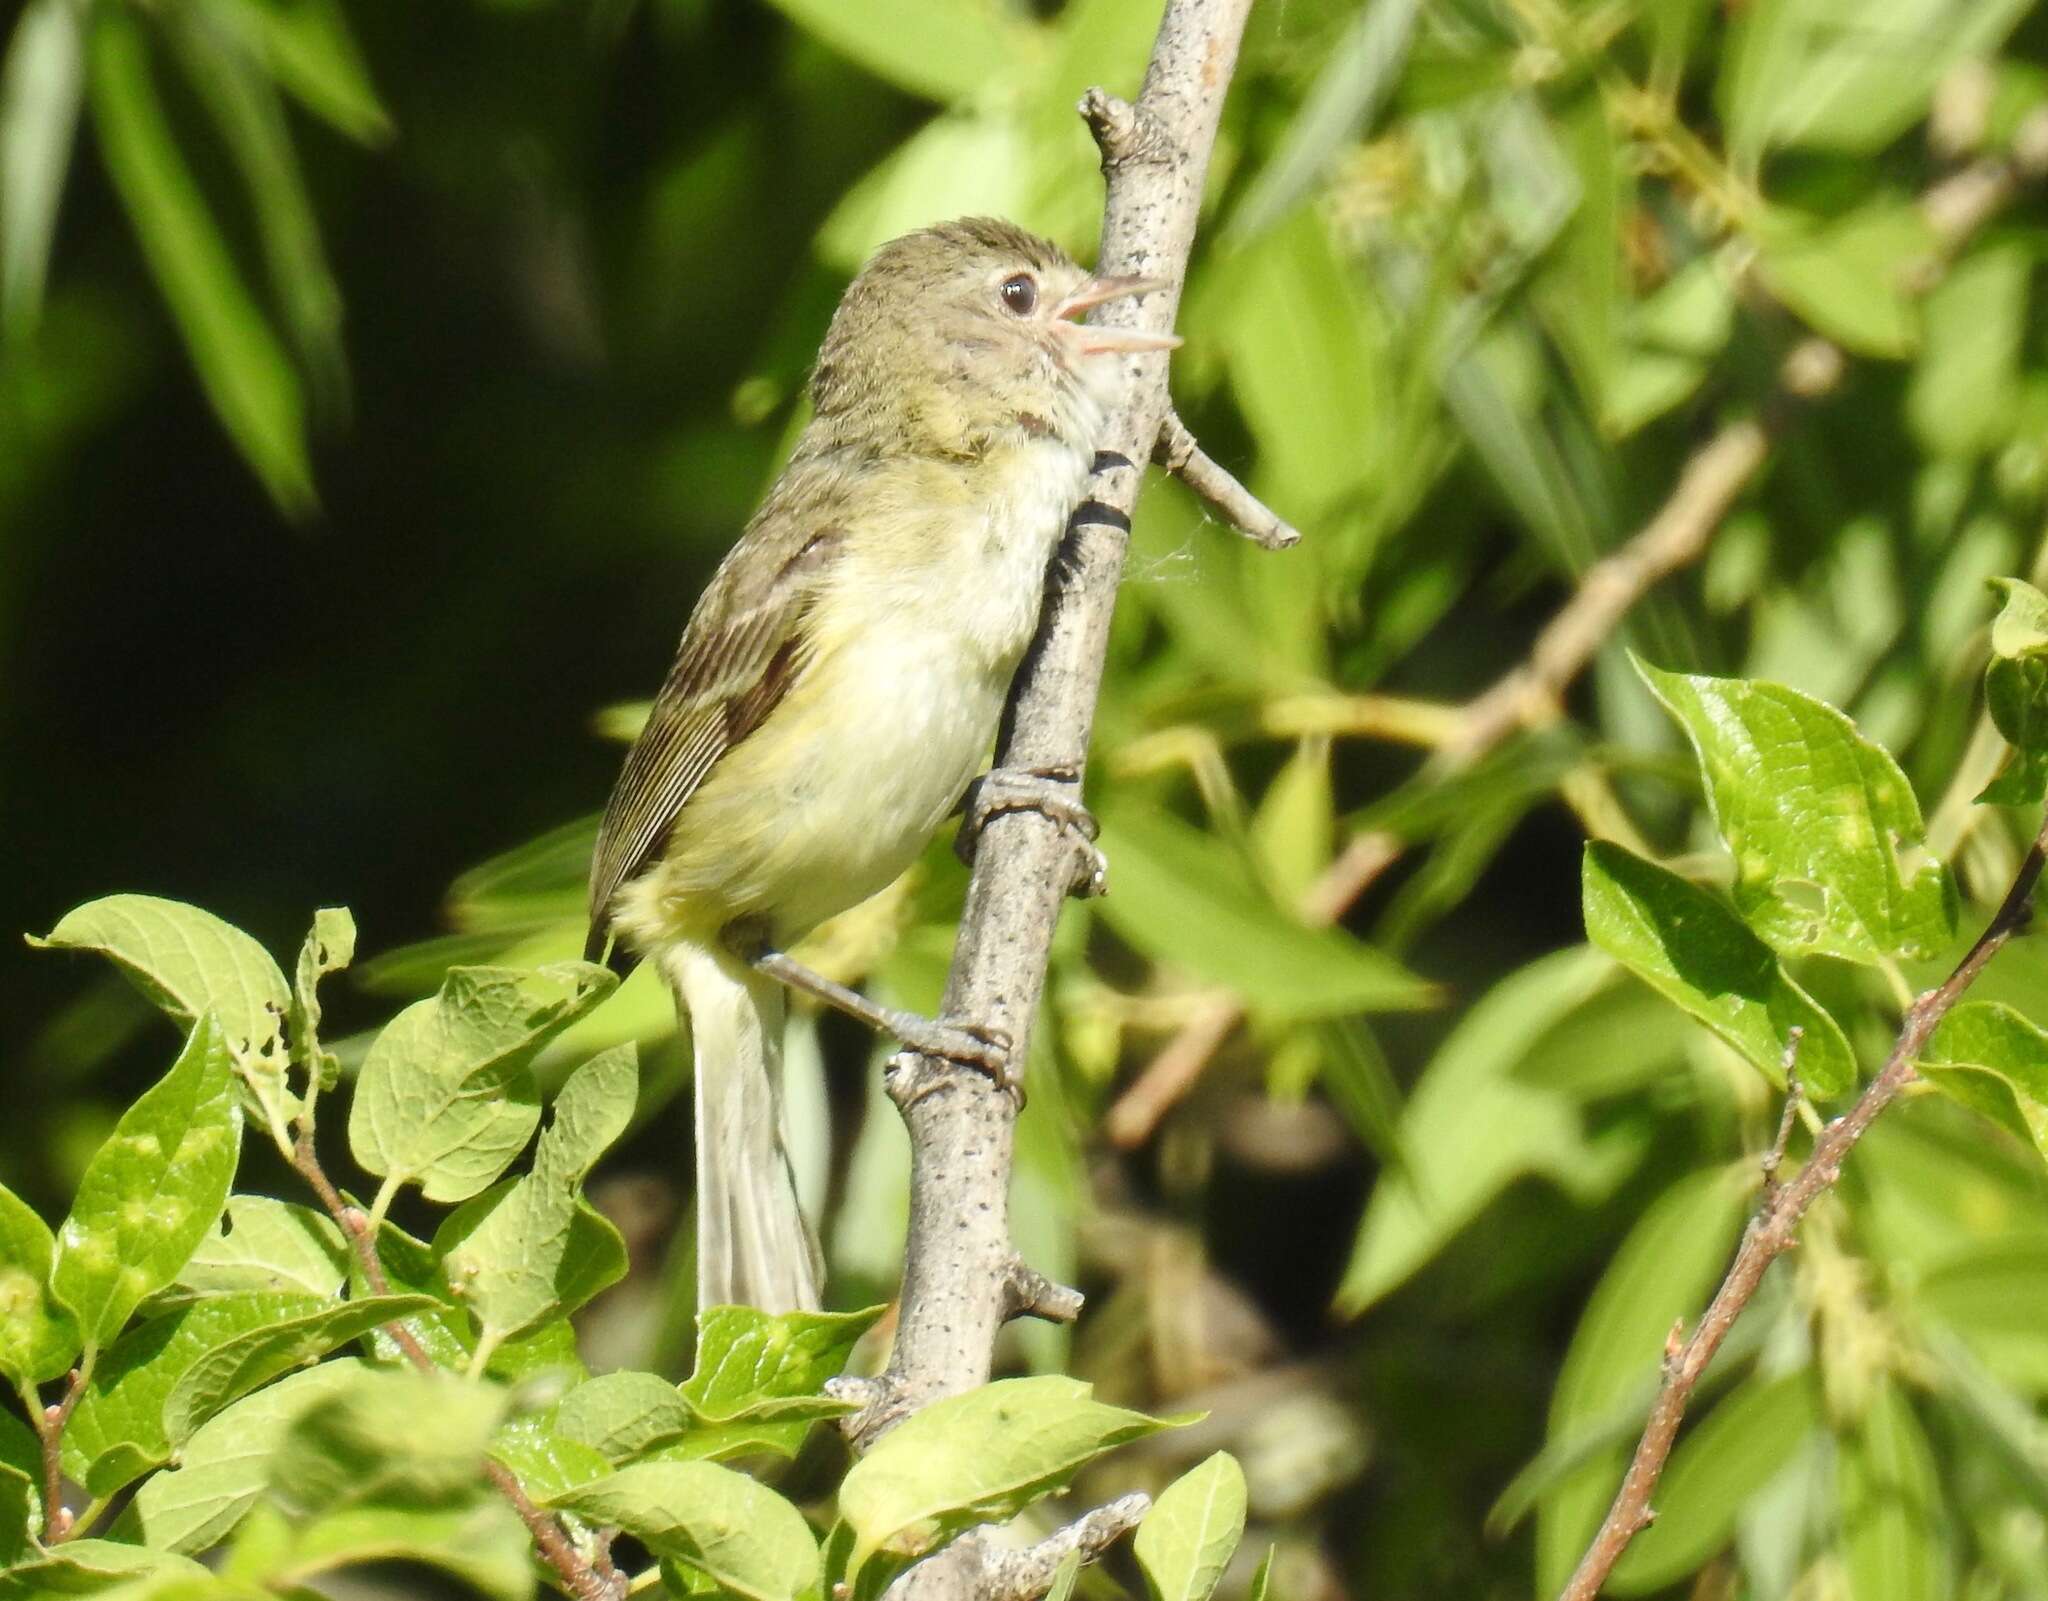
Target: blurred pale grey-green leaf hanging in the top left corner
pixel 40 91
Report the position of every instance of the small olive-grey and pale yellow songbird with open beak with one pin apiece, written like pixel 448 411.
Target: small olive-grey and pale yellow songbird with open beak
pixel 841 681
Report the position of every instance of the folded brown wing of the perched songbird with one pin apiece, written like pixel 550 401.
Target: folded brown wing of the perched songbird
pixel 740 654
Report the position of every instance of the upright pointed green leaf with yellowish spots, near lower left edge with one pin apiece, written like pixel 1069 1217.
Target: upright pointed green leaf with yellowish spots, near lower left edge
pixel 153 1191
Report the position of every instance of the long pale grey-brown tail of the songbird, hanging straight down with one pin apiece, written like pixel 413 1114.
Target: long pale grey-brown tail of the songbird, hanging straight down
pixel 753 1244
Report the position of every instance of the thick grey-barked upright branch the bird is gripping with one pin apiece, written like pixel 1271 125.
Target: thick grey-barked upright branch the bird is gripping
pixel 962 1279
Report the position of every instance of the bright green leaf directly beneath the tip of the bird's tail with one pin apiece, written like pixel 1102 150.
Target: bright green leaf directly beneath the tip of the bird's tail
pixel 771 1369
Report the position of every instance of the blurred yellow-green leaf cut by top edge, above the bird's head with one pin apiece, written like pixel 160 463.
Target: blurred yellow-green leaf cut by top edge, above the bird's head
pixel 943 50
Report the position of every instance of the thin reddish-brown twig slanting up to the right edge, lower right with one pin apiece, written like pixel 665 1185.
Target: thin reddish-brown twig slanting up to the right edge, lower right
pixel 1773 1229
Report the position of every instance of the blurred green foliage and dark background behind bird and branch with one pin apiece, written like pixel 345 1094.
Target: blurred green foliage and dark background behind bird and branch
pixel 380 384
